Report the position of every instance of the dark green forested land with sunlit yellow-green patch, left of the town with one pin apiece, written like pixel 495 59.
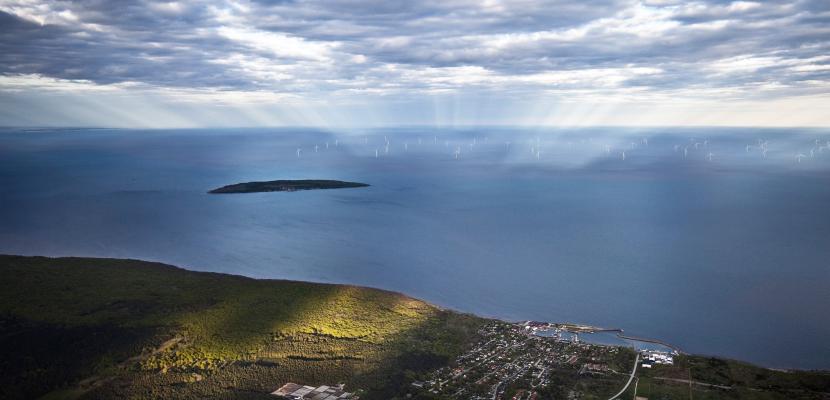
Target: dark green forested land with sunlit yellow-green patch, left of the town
pixel 108 328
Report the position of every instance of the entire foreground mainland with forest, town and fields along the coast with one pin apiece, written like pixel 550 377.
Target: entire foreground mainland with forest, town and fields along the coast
pixel 88 328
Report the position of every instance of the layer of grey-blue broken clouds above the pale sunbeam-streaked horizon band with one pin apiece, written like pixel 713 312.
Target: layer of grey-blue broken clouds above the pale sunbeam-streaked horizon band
pixel 320 46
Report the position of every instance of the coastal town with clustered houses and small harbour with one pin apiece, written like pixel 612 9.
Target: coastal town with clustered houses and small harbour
pixel 512 361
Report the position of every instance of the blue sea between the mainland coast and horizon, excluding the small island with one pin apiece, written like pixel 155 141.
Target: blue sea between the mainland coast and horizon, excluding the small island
pixel 723 251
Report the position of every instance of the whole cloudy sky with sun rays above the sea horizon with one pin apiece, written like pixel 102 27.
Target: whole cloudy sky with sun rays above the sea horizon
pixel 349 63
